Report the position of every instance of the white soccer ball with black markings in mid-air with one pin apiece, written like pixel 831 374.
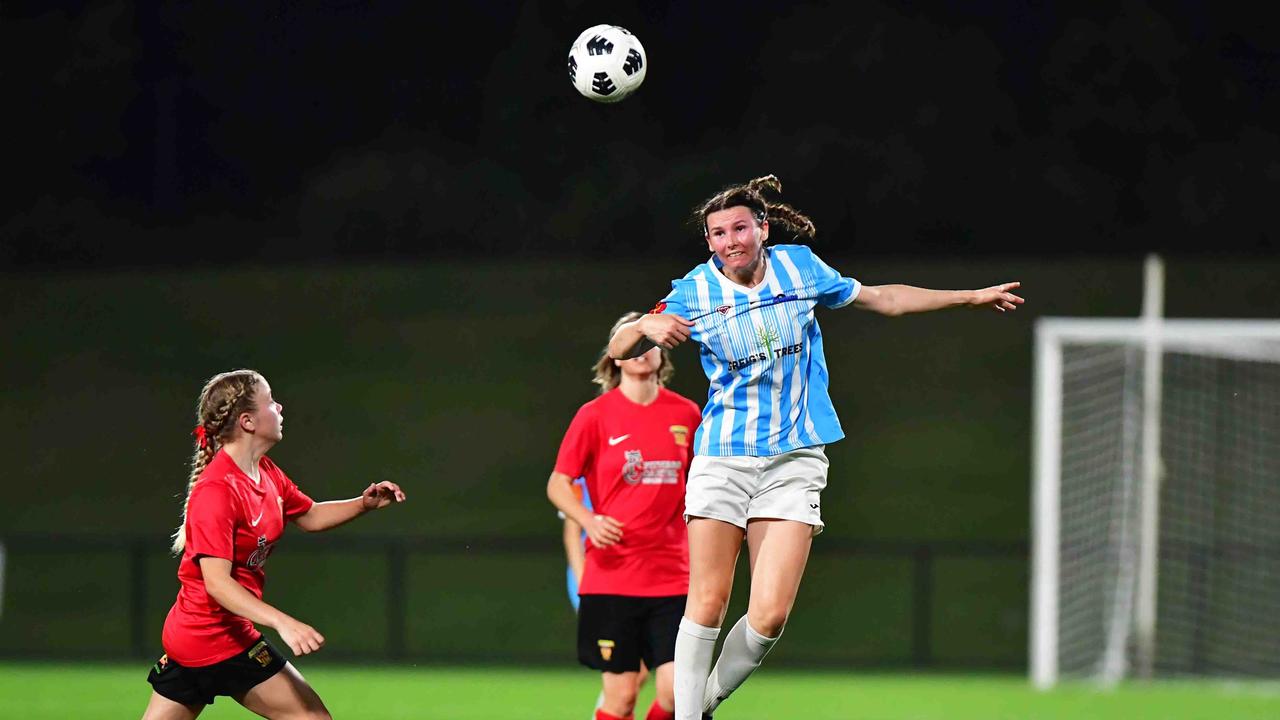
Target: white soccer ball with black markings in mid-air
pixel 607 63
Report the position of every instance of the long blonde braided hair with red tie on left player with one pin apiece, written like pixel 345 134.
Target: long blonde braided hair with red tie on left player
pixel 225 398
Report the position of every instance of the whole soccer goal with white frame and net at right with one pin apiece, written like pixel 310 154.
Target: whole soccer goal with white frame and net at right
pixel 1156 528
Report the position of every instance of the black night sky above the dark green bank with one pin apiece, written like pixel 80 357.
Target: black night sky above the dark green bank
pixel 177 133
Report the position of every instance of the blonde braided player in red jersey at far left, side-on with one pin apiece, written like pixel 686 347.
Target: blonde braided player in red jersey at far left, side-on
pixel 237 505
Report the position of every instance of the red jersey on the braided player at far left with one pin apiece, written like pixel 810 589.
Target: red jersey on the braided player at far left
pixel 234 518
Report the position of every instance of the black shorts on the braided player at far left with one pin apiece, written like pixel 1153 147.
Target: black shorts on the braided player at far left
pixel 232 677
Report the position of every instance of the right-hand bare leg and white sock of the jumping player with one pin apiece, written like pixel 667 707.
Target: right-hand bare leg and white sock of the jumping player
pixel 779 553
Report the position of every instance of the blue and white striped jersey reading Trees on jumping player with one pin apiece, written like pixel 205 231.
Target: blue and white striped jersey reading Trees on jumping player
pixel 762 353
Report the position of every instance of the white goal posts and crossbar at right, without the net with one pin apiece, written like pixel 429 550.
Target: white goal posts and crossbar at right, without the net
pixel 1236 339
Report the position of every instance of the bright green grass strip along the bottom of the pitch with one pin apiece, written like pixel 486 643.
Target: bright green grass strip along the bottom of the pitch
pixel 90 692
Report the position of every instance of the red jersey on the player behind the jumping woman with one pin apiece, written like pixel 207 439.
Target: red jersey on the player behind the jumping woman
pixel 636 459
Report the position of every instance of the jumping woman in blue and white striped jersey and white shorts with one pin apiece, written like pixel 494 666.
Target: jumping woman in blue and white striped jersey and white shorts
pixel 760 467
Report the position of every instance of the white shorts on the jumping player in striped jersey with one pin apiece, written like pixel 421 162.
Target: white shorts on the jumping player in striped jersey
pixel 738 489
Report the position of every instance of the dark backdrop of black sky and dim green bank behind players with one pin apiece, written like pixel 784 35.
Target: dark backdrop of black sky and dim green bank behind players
pixel 410 222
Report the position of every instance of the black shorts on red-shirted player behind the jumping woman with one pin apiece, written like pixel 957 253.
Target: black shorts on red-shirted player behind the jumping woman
pixel 615 632
